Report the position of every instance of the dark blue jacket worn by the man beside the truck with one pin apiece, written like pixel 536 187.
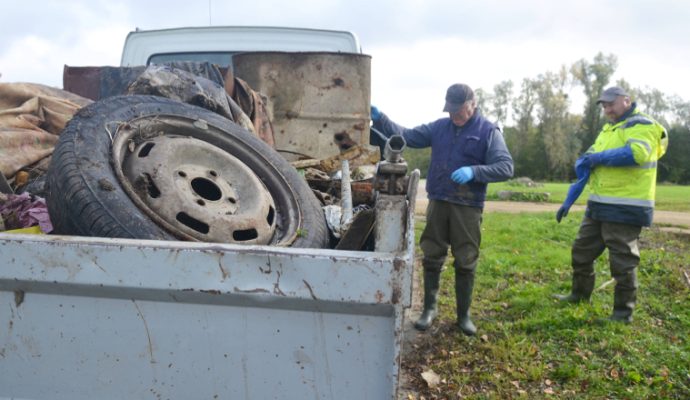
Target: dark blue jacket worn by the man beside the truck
pixel 479 143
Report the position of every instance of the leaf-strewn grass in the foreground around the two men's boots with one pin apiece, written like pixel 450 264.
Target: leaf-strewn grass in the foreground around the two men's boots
pixel 530 346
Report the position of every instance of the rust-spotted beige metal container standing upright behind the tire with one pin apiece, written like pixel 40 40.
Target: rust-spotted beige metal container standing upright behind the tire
pixel 318 102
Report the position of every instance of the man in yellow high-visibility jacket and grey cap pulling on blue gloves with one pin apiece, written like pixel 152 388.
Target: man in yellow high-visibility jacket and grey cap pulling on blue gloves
pixel 621 168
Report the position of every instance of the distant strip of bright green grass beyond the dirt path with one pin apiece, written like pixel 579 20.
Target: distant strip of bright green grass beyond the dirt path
pixel 668 197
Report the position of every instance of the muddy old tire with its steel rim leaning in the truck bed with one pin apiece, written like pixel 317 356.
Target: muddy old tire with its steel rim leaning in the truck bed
pixel 92 191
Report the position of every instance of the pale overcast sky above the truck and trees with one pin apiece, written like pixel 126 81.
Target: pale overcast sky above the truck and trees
pixel 418 47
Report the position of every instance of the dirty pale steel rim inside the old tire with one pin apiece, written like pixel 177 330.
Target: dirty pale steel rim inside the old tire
pixel 184 182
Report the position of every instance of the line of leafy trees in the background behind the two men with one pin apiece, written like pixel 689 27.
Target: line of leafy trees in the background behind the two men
pixel 545 137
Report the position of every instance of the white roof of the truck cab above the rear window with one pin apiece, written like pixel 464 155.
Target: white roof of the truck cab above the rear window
pixel 223 41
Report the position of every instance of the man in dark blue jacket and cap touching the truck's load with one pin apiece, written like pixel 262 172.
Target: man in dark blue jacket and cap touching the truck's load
pixel 467 152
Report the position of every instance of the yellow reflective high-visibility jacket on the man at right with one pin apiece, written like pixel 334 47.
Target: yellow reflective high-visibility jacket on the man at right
pixel 633 185
